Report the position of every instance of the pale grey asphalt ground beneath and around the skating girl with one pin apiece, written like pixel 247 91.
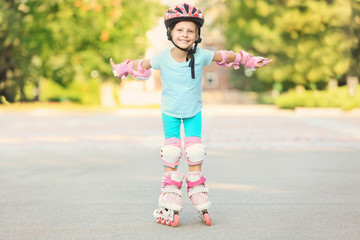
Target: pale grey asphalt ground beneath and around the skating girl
pixel 97 174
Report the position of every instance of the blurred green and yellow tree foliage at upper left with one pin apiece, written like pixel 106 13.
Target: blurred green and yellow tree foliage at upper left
pixel 65 40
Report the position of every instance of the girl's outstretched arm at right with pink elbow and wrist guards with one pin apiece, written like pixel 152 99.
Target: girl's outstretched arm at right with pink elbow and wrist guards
pixel 229 58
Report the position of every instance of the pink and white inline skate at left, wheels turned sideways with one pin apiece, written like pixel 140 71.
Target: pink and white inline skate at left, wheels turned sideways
pixel 170 201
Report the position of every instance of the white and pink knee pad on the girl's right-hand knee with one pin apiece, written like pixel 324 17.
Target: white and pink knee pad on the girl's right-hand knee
pixel 195 151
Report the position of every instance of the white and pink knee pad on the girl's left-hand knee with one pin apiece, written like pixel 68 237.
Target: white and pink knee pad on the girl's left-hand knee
pixel 170 153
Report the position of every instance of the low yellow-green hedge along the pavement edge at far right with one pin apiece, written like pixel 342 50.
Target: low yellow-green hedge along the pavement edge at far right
pixel 338 98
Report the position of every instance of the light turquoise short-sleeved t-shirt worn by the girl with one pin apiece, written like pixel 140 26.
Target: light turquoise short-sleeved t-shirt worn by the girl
pixel 181 95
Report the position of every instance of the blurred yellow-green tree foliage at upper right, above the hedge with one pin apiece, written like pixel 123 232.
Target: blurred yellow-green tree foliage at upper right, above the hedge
pixel 308 40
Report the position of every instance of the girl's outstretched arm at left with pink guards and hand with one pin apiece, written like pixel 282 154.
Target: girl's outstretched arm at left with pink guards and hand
pixel 138 68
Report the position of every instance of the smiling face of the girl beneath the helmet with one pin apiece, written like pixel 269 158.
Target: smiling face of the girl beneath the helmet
pixel 184 34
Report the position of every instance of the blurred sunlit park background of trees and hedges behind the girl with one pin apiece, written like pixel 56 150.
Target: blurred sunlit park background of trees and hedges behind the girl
pixel 58 51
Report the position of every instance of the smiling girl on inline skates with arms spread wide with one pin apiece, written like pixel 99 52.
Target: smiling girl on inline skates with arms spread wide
pixel 181 72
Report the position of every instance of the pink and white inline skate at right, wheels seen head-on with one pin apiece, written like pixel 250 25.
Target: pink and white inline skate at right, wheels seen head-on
pixel 198 195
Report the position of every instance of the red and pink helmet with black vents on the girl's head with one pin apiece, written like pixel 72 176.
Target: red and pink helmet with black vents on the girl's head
pixel 183 12
